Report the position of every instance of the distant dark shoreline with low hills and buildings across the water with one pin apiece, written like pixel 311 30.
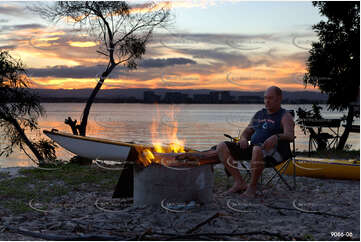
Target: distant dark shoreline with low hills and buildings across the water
pixel 169 96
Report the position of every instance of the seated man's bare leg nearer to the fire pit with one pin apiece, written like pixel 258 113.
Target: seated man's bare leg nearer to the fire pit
pixel 225 157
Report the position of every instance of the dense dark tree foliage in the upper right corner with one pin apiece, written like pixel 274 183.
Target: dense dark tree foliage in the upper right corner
pixel 334 61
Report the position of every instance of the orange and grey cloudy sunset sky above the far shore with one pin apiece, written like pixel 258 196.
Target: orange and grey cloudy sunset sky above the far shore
pixel 223 45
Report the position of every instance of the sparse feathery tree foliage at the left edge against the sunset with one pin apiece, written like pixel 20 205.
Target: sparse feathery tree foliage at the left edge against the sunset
pixel 19 109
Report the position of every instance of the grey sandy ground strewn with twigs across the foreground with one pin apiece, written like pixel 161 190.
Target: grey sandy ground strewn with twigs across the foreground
pixel 319 209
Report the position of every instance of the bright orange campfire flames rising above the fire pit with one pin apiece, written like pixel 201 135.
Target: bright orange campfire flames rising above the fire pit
pixel 160 152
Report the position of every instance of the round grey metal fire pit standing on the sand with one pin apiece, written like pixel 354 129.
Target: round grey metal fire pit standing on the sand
pixel 155 183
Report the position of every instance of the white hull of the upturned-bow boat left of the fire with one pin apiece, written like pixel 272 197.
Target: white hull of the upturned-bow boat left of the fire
pixel 92 148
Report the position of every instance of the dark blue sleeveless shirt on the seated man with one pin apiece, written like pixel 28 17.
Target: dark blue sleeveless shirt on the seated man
pixel 265 125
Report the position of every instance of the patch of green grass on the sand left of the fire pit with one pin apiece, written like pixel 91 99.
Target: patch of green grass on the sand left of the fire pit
pixel 42 185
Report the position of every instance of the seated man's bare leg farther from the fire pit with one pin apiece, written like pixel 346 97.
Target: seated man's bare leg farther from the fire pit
pixel 257 166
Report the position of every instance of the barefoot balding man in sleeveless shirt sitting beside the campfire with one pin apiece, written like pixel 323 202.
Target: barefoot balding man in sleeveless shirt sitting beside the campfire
pixel 270 131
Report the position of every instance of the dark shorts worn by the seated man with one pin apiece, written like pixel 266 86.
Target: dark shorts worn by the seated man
pixel 246 154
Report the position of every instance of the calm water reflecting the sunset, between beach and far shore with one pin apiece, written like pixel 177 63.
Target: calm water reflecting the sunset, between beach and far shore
pixel 200 126
